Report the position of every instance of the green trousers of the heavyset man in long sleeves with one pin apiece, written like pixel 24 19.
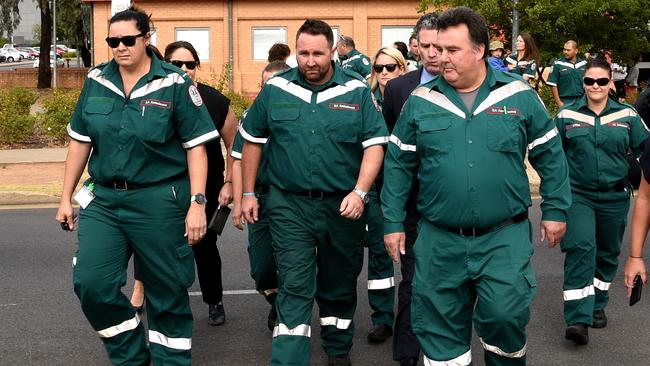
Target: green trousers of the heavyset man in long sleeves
pixel 487 280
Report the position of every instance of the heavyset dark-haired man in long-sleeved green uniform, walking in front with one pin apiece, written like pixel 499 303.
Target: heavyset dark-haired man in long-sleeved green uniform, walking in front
pixel 466 135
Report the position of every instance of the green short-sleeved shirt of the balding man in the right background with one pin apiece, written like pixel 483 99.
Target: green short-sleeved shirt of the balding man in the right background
pixel 567 77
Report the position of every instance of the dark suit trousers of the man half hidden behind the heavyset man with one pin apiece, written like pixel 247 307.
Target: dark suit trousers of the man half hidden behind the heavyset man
pixel 405 345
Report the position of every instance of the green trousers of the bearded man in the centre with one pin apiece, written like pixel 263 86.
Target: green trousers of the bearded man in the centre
pixel 319 254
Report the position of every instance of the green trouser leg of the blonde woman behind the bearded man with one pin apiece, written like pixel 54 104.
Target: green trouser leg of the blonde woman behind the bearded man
pixel 381 283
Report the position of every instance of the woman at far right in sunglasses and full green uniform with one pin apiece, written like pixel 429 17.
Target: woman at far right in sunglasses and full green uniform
pixel 596 133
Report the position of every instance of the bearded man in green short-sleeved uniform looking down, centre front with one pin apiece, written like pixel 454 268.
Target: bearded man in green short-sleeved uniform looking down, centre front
pixel 325 138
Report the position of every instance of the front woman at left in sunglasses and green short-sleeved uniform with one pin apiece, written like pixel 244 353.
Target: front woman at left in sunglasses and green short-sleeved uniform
pixel 143 125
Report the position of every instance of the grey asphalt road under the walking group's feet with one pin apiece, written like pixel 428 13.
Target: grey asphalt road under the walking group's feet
pixel 41 322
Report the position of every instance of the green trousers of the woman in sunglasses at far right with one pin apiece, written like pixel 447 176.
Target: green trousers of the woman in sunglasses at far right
pixel 592 244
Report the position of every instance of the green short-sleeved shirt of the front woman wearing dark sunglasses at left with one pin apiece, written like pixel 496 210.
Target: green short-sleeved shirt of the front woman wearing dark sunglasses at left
pixel 141 137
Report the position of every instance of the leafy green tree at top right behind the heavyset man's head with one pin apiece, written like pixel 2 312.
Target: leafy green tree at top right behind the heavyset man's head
pixel 621 25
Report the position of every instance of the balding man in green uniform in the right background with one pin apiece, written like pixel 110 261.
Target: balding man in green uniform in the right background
pixel 566 74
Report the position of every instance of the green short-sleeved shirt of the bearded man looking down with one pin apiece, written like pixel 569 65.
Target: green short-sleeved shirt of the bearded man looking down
pixel 316 136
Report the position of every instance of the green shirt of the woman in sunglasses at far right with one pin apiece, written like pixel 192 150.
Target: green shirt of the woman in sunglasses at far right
pixel 596 145
